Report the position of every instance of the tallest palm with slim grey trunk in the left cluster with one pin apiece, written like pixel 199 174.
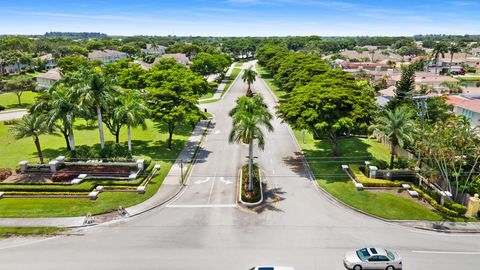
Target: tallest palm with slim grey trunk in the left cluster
pixel 94 92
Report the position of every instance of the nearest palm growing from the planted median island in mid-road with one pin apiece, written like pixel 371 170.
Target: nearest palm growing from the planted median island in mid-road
pixel 248 116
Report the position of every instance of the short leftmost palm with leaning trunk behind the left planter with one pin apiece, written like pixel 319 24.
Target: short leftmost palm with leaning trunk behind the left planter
pixel 33 126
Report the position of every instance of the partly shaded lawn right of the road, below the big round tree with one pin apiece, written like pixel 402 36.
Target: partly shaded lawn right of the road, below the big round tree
pixel 330 177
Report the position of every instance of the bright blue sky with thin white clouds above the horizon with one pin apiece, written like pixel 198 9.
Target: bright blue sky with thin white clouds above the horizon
pixel 242 17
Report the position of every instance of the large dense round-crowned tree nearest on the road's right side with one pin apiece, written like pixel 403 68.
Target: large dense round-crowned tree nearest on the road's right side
pixel 330 106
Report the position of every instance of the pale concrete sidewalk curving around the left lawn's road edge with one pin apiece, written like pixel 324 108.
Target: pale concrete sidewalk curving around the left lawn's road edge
pixel 170 187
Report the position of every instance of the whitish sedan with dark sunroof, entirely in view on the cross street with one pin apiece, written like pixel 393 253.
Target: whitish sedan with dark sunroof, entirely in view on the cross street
pixel 372 258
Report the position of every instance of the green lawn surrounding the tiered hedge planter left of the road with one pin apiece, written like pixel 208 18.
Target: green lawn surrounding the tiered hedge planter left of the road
pixel 146 143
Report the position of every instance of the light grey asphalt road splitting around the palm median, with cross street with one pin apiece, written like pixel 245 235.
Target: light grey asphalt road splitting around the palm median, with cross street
pixel 203 229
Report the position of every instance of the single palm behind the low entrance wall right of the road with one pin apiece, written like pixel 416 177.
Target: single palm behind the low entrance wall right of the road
pixel 398 126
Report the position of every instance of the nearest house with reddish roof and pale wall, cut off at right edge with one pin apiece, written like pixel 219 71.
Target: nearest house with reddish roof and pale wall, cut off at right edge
pixel 469 107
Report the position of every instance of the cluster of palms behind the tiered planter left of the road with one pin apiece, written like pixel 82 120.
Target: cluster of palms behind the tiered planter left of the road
pixel 81 94
